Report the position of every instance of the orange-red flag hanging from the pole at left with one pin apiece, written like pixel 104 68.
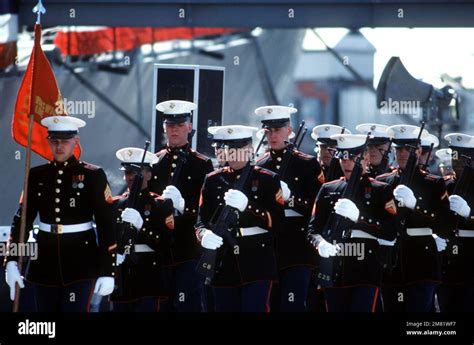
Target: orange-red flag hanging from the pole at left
pixel 38 95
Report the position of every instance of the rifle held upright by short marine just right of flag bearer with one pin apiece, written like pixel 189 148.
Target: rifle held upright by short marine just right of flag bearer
pixel 126 232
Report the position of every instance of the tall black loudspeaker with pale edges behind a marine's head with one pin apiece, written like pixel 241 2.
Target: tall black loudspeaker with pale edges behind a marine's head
pixel 203 85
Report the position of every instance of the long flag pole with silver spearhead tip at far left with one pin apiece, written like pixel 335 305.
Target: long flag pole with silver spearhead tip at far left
pixel 38 9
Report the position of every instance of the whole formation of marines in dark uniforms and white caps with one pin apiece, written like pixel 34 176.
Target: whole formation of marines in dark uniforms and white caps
pixel 364 226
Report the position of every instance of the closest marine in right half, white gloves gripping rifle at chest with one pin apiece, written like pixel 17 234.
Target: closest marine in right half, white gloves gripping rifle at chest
pixel 372 216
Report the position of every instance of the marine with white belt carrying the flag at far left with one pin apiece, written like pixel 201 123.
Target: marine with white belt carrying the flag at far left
pixel 68 195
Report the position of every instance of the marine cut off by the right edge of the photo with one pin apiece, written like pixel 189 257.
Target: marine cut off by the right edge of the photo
pixel 456 293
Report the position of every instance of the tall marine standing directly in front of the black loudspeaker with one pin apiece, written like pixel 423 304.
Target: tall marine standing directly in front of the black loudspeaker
pixel 183 189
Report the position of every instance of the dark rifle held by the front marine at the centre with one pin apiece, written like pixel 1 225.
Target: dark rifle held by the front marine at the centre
pixel 211 260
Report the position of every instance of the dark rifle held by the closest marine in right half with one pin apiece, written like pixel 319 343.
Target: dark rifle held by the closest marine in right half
pixel 336 228
